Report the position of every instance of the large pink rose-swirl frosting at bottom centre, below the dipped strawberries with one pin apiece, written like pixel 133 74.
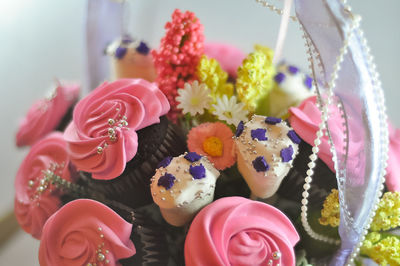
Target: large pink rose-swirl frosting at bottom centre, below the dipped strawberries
pixel 239 231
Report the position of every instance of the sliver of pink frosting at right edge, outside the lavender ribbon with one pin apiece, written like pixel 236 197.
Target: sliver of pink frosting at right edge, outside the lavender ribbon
pixel 393 168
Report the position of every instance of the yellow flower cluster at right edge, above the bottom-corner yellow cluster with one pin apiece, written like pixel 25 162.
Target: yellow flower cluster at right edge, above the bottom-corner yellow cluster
pixel 388 214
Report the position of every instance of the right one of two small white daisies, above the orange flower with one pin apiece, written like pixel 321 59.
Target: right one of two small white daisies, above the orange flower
pixel 230 110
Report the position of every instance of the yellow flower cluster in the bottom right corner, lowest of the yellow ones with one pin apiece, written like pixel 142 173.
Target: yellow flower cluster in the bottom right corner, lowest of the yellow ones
pixel 383 250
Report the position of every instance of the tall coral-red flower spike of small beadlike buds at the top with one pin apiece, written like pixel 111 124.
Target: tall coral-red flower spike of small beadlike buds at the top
pixel 179 53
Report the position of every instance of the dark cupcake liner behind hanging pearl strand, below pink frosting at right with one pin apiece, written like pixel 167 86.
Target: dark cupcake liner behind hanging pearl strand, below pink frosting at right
pixel 323 180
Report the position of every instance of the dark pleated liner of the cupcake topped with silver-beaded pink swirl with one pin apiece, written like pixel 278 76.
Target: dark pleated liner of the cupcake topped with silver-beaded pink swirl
pixel 132 187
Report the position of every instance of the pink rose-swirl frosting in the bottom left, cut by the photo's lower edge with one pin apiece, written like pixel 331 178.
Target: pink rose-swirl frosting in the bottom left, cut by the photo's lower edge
pixel 85 232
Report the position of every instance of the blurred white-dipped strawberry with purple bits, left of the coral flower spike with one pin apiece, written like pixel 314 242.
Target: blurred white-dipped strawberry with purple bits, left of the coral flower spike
pixel 131 59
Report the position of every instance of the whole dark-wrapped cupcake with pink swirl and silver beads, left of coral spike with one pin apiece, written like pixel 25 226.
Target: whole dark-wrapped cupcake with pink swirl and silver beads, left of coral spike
pixel 118 136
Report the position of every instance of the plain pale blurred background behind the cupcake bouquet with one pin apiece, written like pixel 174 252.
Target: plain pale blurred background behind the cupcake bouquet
pixel 44 39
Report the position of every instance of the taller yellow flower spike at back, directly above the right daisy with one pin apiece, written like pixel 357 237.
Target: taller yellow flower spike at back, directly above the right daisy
pixel 255 77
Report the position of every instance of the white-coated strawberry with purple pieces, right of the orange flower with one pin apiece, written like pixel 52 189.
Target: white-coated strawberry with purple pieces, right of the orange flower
pixel 265 148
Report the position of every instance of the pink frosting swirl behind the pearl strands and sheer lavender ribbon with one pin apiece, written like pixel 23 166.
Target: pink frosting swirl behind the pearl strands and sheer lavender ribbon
pixel 305 120
